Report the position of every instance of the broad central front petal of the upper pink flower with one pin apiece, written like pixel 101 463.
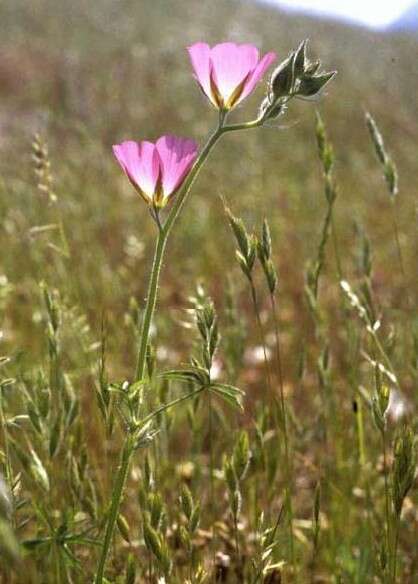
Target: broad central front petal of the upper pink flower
pixel 231 64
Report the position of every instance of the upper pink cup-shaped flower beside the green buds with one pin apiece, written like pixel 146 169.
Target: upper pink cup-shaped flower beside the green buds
pixel 227 73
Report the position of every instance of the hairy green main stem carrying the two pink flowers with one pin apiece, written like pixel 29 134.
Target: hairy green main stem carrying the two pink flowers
pixel 164 231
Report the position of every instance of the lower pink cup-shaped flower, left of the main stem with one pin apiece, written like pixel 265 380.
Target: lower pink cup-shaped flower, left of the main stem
pixel 157 170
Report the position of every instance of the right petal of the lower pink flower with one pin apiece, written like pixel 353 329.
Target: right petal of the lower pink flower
pixel 176 158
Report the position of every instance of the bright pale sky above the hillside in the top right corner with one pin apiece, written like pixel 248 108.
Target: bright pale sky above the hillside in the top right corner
pixel 371 12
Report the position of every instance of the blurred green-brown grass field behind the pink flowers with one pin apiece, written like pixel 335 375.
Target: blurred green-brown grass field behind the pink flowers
pixel 308 490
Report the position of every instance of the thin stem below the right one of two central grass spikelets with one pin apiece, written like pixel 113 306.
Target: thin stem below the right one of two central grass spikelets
pixel 288 466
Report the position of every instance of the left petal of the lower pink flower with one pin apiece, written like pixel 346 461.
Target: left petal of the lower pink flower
pixel 140 162
